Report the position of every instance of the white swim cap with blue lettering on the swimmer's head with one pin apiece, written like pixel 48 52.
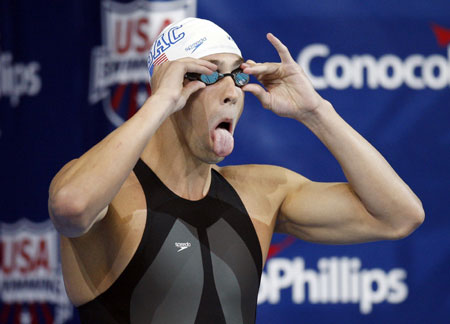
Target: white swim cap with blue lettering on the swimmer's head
pixel 190 37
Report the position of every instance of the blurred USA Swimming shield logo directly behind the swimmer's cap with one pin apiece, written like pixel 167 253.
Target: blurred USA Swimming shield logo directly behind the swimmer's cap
pixel 118 74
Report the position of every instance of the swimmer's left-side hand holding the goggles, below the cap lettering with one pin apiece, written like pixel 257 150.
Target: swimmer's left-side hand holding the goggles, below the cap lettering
pixel 168 80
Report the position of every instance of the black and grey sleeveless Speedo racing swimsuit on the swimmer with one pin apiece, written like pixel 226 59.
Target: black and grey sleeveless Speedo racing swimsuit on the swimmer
pixel 197 262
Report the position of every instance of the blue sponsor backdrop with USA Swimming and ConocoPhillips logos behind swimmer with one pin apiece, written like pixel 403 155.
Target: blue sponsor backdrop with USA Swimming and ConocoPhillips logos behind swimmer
pixel 71 71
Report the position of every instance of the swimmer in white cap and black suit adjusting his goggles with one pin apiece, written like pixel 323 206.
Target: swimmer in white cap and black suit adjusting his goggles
pixel 153 231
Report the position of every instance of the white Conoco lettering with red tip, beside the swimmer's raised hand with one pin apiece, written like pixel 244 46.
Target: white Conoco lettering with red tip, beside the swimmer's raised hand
pixel 388 71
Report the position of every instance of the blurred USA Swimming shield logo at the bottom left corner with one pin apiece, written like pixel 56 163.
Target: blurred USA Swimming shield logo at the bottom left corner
pixel 31 283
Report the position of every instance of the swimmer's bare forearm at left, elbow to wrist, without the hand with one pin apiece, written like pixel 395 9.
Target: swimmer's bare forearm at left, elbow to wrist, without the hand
pixel 80 193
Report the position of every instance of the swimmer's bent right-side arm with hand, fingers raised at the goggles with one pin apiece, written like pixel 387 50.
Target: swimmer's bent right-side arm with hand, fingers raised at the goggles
pixel 374 204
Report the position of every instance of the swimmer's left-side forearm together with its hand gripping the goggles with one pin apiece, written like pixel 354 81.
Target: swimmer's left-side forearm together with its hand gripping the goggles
pixel 80 193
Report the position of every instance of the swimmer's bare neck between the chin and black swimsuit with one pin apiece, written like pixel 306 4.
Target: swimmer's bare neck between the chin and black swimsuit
pixel 174 164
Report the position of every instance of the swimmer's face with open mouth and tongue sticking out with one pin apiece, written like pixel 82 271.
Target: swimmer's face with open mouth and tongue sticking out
pixel 208 120
